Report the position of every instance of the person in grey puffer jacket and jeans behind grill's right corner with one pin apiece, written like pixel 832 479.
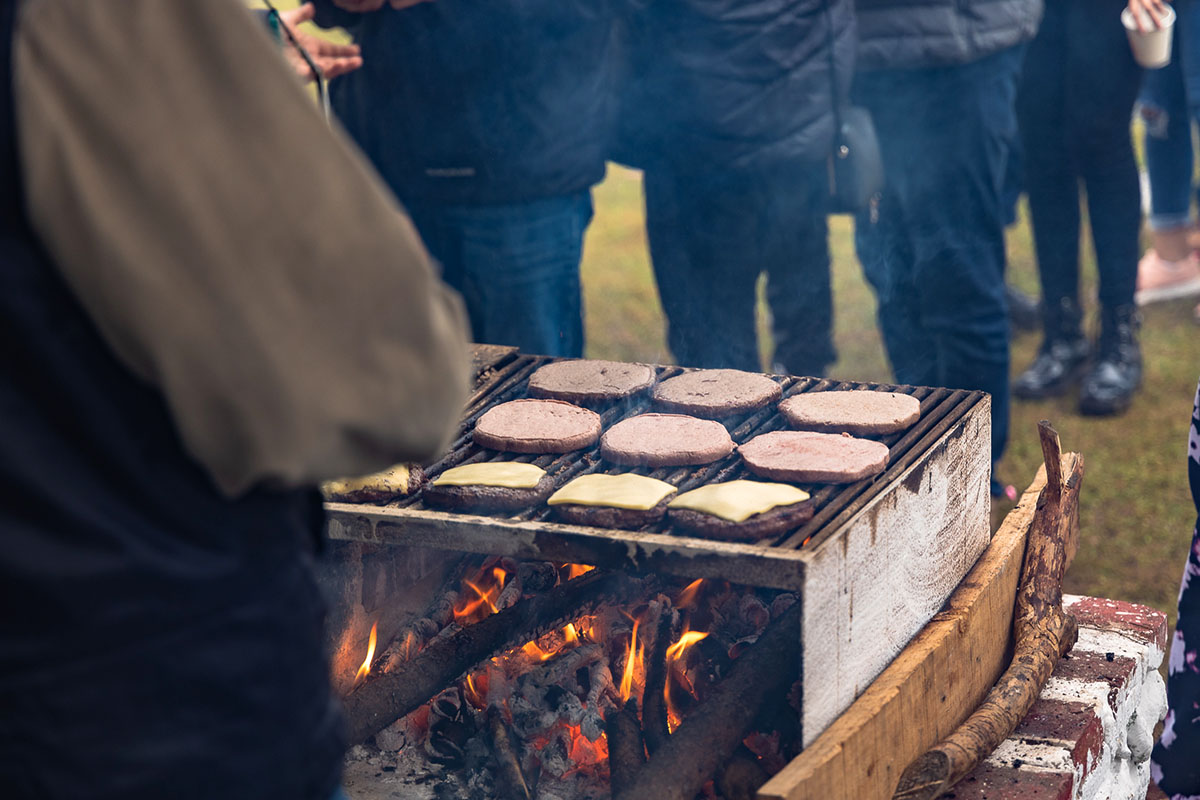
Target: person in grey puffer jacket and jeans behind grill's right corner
pixel 940 80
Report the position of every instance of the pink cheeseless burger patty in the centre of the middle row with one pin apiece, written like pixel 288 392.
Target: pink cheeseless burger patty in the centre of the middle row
pixel 665 441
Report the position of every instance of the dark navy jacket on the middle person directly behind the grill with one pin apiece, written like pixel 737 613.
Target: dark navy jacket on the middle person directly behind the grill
pixel 734 83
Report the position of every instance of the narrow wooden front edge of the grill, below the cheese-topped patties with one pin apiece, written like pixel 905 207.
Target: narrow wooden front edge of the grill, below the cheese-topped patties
pixel 681 556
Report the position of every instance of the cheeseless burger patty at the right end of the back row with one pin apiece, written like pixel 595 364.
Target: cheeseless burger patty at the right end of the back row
pixel 851 412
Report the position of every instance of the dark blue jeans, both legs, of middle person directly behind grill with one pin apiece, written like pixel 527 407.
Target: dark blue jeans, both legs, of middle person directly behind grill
pixel 712 236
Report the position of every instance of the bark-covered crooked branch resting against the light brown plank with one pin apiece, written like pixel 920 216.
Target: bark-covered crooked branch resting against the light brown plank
pixel 1042 630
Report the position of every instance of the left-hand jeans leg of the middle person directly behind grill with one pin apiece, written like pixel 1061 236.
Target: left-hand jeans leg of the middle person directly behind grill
pixel 703 238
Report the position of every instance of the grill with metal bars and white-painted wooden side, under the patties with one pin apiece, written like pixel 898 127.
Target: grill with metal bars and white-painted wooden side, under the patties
pixel 875 563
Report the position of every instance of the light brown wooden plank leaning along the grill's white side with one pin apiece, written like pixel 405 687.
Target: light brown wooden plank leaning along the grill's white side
pixel 932 687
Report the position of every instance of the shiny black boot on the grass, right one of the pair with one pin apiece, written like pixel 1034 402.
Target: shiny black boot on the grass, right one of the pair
pixel 1117 374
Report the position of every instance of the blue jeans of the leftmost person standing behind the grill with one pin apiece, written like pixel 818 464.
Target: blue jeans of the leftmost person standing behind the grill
pixel 518 268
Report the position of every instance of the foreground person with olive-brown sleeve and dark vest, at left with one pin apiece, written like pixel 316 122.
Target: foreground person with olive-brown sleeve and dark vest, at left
pixel 209 306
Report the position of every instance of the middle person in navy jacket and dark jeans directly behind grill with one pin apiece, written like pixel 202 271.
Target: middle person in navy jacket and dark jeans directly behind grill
pixel 729 111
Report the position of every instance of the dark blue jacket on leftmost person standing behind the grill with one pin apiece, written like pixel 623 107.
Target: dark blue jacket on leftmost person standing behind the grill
pixel 482 101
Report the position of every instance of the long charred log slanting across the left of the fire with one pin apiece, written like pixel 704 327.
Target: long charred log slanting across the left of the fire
pixel 385 699
